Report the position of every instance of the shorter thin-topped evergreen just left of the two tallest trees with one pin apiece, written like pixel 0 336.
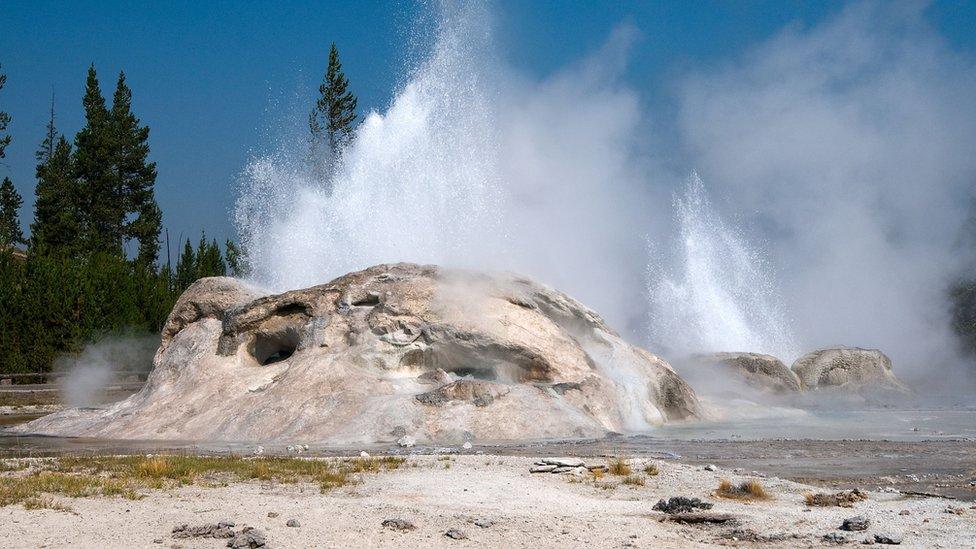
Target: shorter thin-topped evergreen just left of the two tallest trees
pixel 55 226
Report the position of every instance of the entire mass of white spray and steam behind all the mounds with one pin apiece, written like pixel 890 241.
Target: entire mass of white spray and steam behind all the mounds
pixel 844 152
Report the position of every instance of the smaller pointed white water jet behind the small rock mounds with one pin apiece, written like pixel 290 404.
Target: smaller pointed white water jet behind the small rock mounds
pixel 720 293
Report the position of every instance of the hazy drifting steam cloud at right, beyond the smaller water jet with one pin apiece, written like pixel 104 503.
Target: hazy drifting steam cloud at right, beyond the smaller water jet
pixel 852 145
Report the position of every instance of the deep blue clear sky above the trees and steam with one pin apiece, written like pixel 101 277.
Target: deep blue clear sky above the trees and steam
pixel 211 78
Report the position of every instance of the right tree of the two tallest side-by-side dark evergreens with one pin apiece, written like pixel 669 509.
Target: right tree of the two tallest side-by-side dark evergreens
pixel 135 175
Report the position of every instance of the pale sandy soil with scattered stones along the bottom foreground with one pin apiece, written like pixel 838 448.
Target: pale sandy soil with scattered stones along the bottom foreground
pixel 526 510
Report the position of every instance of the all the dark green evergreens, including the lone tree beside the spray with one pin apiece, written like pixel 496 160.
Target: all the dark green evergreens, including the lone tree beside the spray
pixel 91 265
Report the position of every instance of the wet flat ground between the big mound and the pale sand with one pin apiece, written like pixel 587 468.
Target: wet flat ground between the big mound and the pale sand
pixel 927 451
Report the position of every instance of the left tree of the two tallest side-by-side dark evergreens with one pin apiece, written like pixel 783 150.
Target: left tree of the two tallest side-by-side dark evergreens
pixel 99 201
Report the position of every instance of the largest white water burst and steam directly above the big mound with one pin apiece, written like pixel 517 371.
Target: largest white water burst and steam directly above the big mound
pixel 473 166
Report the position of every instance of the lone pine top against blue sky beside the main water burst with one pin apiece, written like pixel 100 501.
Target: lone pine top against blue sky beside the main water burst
pixel 334 114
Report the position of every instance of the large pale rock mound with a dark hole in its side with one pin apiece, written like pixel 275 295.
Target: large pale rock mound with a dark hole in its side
pixel 439 355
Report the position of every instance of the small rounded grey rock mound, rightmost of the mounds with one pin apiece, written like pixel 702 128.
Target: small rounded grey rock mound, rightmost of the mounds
pixel 849 368
